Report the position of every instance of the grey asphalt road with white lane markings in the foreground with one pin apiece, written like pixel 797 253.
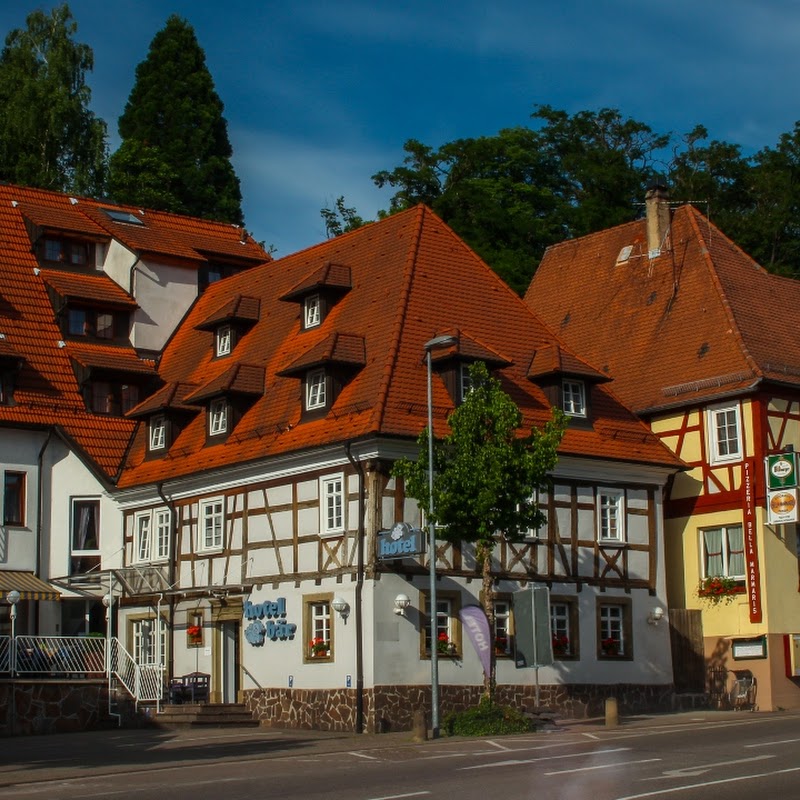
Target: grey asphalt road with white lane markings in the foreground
pixel 680 757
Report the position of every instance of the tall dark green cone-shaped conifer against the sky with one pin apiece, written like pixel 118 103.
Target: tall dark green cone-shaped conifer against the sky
pixel 175 152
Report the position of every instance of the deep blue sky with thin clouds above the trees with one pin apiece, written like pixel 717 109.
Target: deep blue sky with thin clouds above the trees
pixel 322 94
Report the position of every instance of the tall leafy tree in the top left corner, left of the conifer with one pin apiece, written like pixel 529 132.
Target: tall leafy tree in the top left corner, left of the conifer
pixel 48 136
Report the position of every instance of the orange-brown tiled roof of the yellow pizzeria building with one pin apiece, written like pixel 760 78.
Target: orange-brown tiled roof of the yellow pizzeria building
pixel 699 321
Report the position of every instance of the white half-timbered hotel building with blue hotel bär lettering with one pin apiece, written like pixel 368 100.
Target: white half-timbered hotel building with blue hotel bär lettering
pixel 260 479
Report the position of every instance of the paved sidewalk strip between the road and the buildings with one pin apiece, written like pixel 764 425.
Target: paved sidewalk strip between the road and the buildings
pixel 31 759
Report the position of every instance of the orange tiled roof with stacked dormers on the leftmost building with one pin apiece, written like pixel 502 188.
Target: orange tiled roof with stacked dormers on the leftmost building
pixel 46 391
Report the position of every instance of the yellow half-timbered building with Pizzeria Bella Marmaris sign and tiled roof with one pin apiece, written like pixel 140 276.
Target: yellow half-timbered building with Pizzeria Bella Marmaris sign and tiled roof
pixel 704 345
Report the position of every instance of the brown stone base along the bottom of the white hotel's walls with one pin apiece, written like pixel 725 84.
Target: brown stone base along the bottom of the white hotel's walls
pixel 391 708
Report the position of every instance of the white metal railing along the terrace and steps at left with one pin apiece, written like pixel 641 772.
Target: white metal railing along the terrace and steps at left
pixel 79 656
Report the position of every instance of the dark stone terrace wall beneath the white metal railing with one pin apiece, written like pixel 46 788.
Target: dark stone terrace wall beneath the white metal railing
pixel 34 707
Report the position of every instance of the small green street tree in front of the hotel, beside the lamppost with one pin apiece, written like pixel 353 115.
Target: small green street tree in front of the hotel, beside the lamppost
pixel 486 475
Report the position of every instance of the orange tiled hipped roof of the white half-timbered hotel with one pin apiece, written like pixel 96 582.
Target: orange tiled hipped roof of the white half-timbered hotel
pixel 411 278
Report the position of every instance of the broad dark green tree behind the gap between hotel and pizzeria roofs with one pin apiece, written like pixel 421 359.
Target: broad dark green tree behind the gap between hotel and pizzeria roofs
pixel 511 195
